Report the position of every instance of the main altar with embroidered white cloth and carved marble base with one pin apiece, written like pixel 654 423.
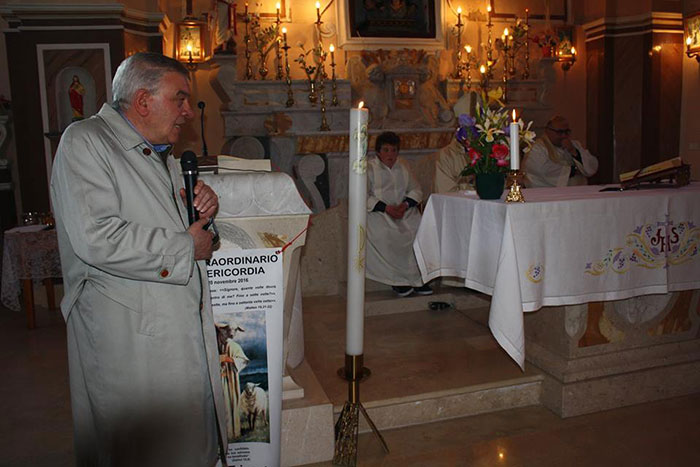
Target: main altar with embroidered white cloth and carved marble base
pixel 589 253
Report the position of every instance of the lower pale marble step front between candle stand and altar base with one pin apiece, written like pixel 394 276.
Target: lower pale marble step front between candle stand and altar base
pixel 452 403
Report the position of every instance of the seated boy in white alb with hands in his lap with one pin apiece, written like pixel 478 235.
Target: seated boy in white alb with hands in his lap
pixel 392 221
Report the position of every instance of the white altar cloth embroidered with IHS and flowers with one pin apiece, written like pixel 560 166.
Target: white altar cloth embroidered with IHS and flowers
pixel 563 246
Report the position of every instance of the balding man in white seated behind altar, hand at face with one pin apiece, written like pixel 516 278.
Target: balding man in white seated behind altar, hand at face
pixel 557 160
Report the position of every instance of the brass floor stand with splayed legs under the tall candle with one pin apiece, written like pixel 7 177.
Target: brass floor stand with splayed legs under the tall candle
pixel 347 426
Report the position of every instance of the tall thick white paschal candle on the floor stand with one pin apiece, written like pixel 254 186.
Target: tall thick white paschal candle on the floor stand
pixel 357 229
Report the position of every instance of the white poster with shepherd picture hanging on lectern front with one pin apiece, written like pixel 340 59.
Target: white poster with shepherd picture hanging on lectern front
pixel 247 300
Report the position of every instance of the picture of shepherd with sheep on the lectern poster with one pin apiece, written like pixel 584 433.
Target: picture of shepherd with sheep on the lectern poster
pixel 244 375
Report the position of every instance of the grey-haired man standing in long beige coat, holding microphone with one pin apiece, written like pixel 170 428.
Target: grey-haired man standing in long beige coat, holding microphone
pixel 143 359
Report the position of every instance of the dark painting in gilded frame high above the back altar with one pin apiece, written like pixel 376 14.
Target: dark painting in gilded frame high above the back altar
pixel 390 24
